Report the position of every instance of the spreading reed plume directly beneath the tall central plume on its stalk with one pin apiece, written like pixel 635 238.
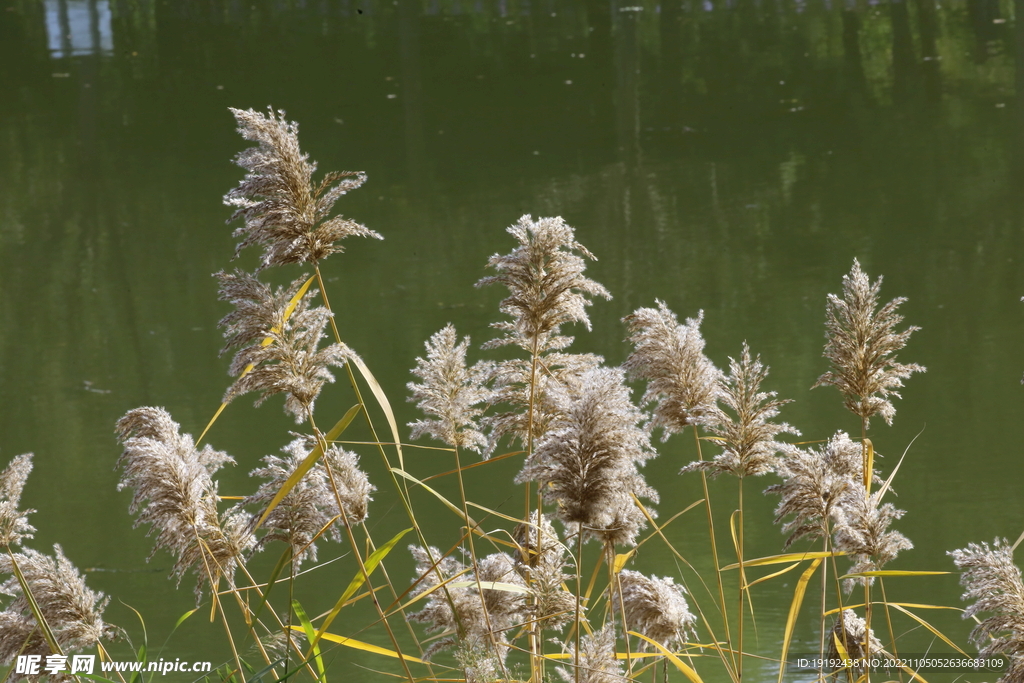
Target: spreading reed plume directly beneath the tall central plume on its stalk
pixel 511 383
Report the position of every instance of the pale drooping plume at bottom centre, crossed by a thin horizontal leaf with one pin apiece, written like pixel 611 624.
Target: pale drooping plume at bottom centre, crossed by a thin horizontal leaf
pixel 482 619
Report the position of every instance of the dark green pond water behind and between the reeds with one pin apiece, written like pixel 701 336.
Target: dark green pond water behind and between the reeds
pixel 732 156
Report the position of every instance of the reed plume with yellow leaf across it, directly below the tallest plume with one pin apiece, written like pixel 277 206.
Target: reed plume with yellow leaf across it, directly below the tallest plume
pixel 291 362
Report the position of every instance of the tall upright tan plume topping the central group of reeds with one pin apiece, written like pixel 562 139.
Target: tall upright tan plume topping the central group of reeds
pixel 547 288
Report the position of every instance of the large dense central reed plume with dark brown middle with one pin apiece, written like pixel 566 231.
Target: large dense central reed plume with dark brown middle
pixel 587 462
